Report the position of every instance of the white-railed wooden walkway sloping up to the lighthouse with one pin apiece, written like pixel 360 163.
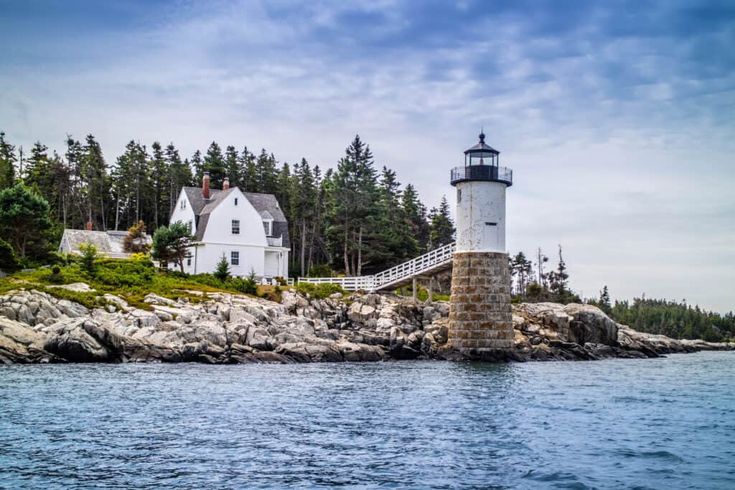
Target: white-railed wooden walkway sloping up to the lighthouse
pixel 433 261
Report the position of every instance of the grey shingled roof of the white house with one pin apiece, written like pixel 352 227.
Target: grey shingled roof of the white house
pixel 265 204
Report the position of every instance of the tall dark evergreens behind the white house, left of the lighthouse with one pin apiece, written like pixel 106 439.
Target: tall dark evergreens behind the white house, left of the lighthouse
pixel 355 218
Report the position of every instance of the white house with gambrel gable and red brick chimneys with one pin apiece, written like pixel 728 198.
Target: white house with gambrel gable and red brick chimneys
pixel 248 228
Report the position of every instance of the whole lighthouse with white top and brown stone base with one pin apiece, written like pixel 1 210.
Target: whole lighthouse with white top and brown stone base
pixel 480 315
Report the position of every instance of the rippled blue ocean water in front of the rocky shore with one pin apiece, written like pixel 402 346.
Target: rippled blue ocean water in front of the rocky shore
pixel 657 423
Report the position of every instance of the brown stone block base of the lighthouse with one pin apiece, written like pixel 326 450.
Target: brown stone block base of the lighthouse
pixel 480 315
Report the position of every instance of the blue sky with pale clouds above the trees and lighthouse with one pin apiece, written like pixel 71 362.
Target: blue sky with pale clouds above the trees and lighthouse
pixel 617 118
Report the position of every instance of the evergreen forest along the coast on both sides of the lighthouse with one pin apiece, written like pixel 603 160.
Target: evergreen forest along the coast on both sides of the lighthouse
pixel 355 218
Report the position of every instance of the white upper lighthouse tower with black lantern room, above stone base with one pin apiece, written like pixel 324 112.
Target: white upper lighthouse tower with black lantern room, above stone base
pixel 481 185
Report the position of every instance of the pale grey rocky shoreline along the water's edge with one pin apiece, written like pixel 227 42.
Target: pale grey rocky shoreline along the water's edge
pixel 36 327
